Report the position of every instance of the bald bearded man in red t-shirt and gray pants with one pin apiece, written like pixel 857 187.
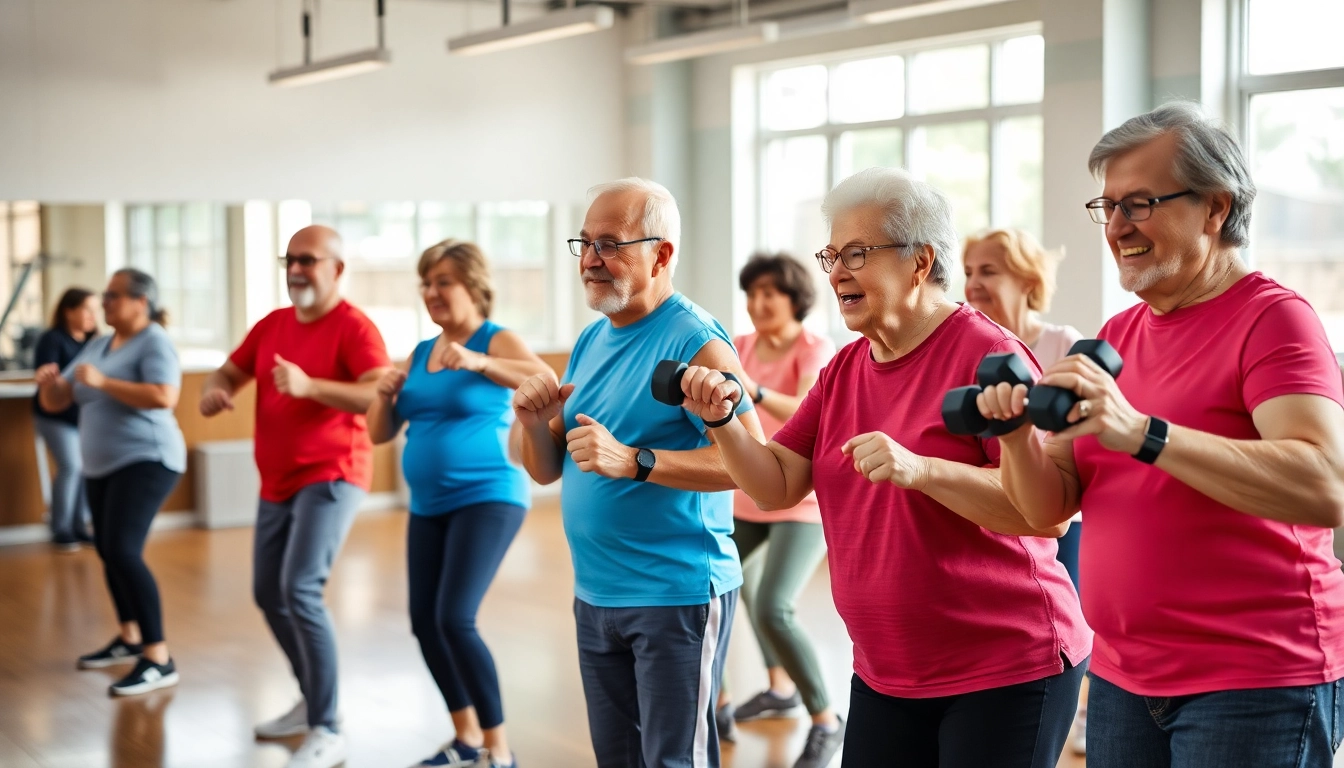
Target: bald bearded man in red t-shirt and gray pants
pixel 317 367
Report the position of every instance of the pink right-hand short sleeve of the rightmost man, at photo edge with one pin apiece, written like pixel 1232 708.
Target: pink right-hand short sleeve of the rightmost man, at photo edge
pixel 1288 353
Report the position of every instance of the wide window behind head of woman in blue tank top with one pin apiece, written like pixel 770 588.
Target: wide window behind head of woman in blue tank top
pixel 384 244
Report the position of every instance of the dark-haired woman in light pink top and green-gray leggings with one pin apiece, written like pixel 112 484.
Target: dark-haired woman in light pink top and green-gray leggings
pixel 782 361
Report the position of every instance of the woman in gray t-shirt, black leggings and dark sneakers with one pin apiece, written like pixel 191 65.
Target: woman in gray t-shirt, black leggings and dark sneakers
pixel 134 454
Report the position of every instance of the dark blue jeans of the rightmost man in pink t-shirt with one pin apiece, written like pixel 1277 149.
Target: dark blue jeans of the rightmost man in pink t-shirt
pixel 1259 728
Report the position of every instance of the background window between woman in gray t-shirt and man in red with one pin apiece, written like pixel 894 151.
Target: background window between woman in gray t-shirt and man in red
pixel 185 247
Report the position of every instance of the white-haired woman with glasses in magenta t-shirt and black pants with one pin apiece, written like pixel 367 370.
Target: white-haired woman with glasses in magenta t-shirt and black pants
pixel 968 641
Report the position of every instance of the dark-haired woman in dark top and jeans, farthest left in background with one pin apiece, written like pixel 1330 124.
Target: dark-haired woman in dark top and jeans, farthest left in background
pixel 73 323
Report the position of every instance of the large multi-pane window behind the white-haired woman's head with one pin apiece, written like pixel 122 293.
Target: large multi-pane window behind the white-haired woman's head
pixel 964 118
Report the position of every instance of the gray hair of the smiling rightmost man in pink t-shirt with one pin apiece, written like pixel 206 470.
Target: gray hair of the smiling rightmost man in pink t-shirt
pixel 1209 159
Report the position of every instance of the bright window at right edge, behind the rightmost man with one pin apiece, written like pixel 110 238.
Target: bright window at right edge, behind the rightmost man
pixel 1294 119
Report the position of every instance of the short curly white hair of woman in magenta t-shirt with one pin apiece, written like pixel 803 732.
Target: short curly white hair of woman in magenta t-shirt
pixel 913 212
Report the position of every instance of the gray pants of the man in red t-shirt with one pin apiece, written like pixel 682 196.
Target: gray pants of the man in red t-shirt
pixel 295 545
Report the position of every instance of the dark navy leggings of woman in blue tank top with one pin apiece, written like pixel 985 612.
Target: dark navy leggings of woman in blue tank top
pixel 452 560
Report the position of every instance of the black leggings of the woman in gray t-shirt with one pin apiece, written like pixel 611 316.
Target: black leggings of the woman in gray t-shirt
pixel 123 506
